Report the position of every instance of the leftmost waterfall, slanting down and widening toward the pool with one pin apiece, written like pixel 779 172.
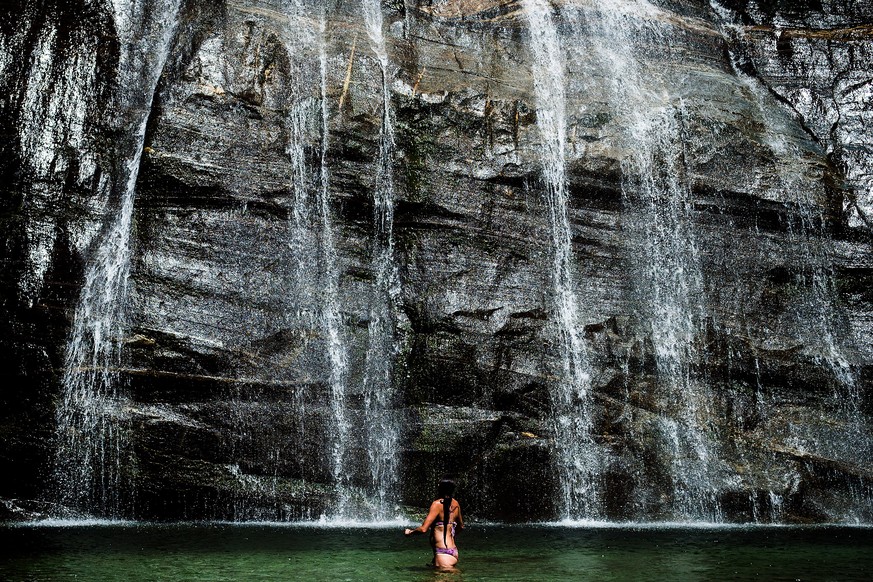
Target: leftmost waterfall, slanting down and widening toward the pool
pixel 91 460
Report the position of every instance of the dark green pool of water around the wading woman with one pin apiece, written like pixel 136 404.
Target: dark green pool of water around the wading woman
pixel 230 552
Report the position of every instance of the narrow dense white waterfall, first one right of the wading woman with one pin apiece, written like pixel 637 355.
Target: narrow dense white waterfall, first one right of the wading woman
pixel 577 456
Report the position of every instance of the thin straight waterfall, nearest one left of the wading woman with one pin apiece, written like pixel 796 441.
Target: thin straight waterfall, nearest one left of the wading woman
pixel 381 430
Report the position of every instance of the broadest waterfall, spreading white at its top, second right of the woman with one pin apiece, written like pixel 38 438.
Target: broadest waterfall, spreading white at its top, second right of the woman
pixel 668 276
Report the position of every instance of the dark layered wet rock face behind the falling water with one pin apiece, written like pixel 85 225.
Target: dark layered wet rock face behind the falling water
pixel 718 170
